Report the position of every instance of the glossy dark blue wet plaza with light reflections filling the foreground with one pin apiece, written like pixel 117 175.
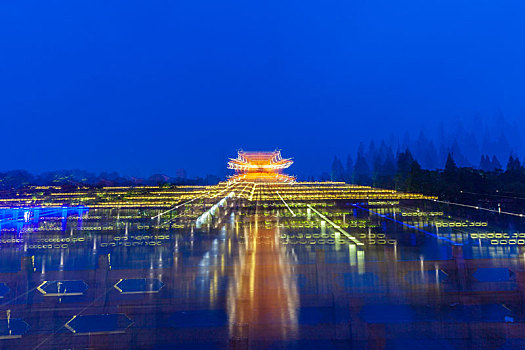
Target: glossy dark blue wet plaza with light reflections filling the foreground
pixel 424 276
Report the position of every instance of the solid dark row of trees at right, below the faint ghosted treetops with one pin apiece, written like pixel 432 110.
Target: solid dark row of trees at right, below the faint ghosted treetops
pixel 402 172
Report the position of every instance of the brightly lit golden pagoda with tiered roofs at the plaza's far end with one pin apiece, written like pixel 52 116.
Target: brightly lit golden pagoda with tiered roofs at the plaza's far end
pixel 260 167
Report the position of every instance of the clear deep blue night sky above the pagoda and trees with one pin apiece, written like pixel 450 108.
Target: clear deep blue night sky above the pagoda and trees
pixel 152 86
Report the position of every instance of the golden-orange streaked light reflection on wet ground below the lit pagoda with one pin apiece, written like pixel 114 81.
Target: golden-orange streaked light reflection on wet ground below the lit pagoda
pixel 263 299
